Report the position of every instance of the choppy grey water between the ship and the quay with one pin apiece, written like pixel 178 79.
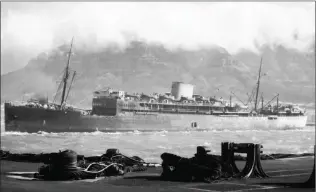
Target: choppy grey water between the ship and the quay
pixel 151 145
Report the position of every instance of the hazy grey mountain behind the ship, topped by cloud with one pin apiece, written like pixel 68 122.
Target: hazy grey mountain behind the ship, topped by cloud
pixel 151 68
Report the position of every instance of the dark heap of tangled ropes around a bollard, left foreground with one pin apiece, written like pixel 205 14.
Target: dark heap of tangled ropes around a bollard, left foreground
pixel 67 165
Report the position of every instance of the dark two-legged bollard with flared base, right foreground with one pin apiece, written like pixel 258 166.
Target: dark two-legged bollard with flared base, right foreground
pixel 253 168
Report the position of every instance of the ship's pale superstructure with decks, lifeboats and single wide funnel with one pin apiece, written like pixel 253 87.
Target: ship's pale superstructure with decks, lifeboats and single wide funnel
pixel 180 100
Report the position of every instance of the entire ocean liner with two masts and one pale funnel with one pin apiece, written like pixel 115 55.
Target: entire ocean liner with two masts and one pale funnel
pixel 178 110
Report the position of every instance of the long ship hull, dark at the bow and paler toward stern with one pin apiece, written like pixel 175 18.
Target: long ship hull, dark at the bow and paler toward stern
pixel 37 119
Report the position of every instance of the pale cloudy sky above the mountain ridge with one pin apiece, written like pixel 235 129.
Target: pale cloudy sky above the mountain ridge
pixel 30 28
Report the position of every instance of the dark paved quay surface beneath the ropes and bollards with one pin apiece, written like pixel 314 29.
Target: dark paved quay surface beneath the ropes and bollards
pixel 284 174
